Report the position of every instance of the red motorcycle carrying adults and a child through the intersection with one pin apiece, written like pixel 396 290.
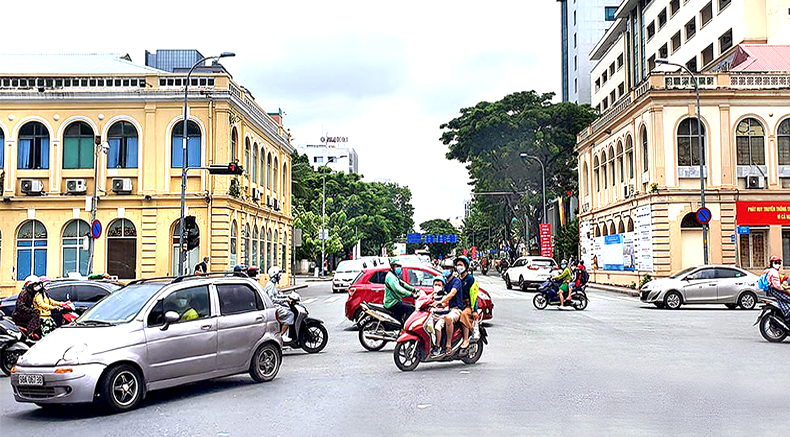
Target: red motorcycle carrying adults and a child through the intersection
pixel 414 345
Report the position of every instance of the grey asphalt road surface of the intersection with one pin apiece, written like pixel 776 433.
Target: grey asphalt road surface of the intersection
pixel 617 368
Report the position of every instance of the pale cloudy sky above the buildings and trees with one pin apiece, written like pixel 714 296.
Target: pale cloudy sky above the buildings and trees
pixel 385 75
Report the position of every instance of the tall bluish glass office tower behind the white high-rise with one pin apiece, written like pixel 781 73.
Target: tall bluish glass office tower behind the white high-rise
pixel 583 24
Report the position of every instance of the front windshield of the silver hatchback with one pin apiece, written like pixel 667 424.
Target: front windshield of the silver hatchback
pixel 121 306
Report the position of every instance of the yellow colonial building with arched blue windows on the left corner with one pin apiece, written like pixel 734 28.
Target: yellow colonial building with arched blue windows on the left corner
pixel 51 109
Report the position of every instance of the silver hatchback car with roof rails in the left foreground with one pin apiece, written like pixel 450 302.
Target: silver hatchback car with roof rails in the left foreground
pixel 154 334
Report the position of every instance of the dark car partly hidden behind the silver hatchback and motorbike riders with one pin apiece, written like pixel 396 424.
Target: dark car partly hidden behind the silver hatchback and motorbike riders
pixel 82 293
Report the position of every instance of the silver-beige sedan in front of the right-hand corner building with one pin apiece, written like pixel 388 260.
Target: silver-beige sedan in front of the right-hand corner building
pixel 711 284
